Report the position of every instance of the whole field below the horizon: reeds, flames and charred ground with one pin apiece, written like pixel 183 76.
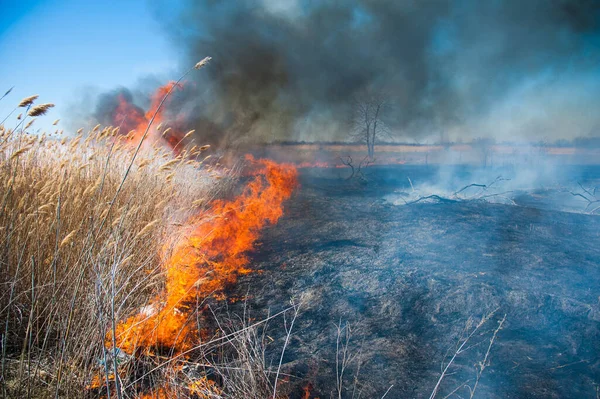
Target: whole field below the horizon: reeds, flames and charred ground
pixel 191 279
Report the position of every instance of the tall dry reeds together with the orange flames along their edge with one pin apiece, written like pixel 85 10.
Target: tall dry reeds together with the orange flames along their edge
pixel 106 270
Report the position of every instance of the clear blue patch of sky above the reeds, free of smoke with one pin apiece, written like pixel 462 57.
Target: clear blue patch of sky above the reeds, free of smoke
pixel 68 50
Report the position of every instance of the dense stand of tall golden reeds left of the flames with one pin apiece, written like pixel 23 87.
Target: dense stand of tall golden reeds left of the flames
pixel 72 265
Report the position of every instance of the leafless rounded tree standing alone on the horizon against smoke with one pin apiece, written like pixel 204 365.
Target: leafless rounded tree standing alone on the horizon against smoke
pixel 367 119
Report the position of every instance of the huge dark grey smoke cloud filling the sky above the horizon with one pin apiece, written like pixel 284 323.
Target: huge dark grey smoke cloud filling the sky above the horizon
pixel 290 70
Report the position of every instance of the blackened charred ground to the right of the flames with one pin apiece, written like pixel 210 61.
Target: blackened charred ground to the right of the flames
pixel 407 279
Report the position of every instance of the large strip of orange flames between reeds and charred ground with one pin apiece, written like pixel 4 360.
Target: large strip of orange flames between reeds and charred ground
pixel 210 254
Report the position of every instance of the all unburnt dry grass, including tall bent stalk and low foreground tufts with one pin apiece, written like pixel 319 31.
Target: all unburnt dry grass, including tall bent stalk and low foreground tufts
pixel 84 220
